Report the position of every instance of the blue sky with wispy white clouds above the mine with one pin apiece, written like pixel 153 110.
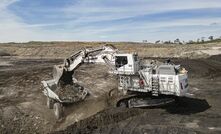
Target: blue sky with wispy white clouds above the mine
pixel 108 20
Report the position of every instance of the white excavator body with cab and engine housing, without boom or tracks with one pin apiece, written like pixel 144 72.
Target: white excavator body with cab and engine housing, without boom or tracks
pixel 167 79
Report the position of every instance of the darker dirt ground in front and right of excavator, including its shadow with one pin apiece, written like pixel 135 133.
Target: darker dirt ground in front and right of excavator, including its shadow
pixel 199 113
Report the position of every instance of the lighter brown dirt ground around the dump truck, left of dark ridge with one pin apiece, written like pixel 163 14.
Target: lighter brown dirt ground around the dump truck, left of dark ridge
pixel 23 103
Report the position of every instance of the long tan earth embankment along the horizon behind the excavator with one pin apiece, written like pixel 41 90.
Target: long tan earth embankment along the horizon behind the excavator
pixel 64 49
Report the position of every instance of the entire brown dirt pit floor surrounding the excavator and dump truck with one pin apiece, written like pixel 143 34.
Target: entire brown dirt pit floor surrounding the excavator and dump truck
pixel 23 105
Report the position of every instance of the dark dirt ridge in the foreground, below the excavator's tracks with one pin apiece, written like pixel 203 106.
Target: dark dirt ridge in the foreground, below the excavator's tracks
pixel 101 119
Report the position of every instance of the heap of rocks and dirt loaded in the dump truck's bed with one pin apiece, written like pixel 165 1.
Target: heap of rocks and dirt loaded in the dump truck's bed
pixel 70 92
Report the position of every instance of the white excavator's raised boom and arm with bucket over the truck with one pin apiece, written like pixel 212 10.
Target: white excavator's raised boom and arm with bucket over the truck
pixel 63 73
